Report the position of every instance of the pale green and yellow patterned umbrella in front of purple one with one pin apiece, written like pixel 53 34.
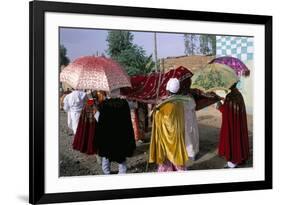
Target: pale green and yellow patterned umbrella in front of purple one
pixel 214 77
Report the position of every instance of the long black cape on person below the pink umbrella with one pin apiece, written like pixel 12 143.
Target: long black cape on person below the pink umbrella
pixel 114 131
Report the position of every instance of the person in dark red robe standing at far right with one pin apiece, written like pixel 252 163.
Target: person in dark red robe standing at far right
pixel 234 141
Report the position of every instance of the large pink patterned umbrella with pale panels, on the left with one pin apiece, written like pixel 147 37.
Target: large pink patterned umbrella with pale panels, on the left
pixel 96 73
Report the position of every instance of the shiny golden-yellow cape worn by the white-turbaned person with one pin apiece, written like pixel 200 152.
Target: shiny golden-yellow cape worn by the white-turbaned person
pixel 167 136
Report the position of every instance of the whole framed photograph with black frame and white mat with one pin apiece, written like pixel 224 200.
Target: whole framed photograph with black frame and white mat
pixel 130 102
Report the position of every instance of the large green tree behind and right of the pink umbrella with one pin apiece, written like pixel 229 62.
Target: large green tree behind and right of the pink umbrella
pixel 132 57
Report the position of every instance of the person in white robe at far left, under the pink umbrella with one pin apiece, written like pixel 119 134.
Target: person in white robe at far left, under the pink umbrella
pixel 73 105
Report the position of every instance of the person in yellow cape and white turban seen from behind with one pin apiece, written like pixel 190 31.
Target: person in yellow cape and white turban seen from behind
pixel 167 147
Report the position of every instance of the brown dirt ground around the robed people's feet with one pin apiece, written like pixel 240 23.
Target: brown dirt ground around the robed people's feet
pixel 74 163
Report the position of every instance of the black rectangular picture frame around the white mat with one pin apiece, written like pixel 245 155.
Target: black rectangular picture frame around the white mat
pixel 37 97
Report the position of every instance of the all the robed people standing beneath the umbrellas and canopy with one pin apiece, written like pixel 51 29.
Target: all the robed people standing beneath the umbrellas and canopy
pixel 106 124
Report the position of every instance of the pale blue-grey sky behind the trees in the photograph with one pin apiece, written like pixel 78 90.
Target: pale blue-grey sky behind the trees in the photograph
pixel 84 42
